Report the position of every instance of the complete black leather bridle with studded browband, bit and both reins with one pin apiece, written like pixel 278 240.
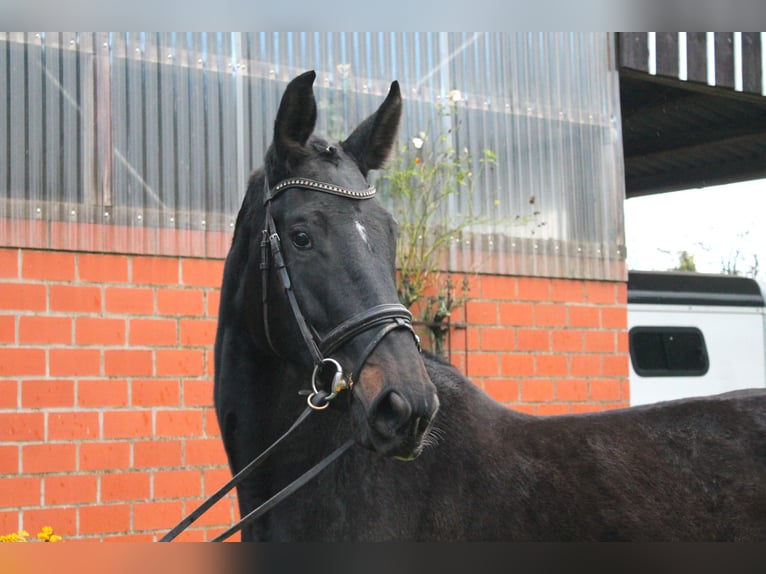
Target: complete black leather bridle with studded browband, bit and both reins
pixel 385 317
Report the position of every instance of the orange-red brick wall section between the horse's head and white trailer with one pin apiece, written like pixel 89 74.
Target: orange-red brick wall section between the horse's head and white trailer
pixel 546 346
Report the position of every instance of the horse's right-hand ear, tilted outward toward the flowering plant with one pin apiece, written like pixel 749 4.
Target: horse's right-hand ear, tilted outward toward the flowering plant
pixel 371 142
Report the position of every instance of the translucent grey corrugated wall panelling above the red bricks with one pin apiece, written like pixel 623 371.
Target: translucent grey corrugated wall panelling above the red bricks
pixel 143 142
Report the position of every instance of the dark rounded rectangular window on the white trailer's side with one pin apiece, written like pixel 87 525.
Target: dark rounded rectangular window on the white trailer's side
pixel 668 352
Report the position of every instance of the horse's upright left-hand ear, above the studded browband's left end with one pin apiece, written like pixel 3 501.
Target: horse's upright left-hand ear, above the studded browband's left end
pixel 296 117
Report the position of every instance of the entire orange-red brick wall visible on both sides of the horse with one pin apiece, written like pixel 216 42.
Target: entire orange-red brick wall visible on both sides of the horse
pixel 107 429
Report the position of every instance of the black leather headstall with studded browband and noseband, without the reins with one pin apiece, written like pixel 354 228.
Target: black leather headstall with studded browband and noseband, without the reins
pixel 385 317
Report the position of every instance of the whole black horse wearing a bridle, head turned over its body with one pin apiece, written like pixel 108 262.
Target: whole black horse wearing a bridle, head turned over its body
pixel 311 275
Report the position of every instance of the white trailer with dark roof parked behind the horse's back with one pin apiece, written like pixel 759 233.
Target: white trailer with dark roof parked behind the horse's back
pixel 694 334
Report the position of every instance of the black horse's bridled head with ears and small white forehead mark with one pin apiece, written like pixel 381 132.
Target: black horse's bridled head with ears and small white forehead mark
pixel 328 302
